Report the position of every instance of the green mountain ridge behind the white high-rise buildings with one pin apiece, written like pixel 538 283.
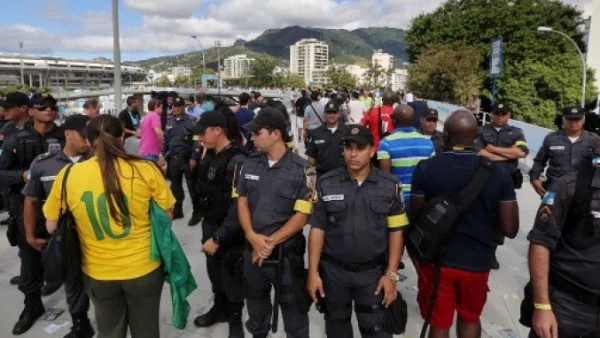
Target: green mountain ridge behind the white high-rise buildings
pixel 345 46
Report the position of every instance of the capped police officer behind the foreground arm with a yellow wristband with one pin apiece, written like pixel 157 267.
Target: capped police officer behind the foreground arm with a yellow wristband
pixel 564 151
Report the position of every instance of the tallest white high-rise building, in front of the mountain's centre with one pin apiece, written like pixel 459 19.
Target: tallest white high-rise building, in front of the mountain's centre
pixel 309 58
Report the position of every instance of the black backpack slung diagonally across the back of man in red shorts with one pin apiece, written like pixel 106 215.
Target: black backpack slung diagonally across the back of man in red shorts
pixel 438 219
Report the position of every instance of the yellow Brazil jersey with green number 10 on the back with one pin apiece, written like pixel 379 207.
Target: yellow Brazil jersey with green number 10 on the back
pixel 111 251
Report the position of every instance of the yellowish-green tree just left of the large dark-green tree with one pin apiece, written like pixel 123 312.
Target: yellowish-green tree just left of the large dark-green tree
pixel 446 73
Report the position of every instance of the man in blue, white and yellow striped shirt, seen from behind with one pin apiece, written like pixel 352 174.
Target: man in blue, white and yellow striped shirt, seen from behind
pixel 400 152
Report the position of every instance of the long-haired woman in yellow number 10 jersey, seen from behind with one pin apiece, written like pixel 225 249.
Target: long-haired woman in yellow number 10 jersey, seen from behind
pixel 109 196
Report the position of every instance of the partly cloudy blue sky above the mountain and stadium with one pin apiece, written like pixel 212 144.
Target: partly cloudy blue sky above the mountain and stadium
pixel 149 28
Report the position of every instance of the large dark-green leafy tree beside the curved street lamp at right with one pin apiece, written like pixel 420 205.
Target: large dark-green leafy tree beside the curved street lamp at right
pixel 540 70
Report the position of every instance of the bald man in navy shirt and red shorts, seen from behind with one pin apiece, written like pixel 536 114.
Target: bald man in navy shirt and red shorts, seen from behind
pixel 465 262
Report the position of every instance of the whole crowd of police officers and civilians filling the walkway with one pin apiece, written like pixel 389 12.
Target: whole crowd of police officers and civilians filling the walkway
pixel 377 172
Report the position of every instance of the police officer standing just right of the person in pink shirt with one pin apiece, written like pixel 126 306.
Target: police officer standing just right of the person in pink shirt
pixel 177 150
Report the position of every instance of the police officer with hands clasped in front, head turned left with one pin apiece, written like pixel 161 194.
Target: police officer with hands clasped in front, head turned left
pixel 276 191
